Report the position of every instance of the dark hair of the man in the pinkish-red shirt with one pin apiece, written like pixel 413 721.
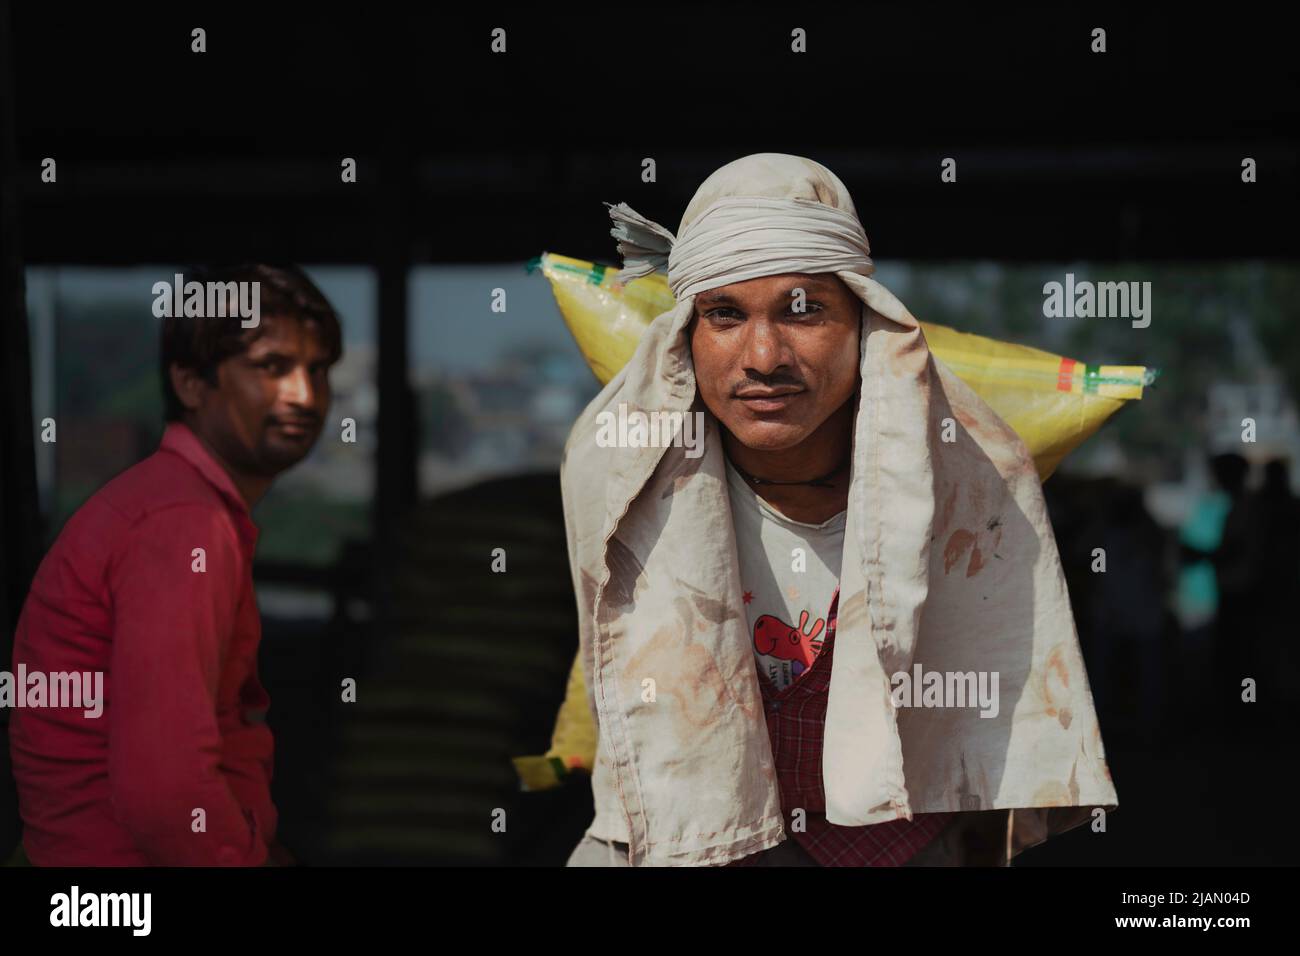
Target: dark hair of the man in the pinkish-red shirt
pixel 202 344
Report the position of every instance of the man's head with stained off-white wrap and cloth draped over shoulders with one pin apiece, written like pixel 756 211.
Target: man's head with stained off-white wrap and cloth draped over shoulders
pixel 948 565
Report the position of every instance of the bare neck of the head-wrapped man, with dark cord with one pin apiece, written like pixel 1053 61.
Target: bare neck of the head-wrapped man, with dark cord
pixel 825 452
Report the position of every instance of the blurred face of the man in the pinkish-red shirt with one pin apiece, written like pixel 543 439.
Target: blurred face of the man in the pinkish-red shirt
pixel 270 404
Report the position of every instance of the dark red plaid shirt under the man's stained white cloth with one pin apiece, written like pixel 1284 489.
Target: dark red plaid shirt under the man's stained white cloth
pixel 796 719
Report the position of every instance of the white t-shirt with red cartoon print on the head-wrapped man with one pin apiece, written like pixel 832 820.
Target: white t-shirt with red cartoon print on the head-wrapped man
pixel 788 573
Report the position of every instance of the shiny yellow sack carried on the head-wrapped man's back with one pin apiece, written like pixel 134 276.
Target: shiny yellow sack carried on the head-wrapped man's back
pixel 1052 403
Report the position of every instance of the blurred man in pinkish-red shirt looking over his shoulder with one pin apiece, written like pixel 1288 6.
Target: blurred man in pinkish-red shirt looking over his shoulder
pixel 150 589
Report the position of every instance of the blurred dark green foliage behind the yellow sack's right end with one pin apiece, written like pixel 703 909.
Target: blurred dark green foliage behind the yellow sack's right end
pixel 1190 339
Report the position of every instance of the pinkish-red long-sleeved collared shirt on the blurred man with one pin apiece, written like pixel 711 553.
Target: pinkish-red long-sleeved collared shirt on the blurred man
pixel 120 592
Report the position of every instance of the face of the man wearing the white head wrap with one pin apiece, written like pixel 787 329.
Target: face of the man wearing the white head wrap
pixel 769 374
